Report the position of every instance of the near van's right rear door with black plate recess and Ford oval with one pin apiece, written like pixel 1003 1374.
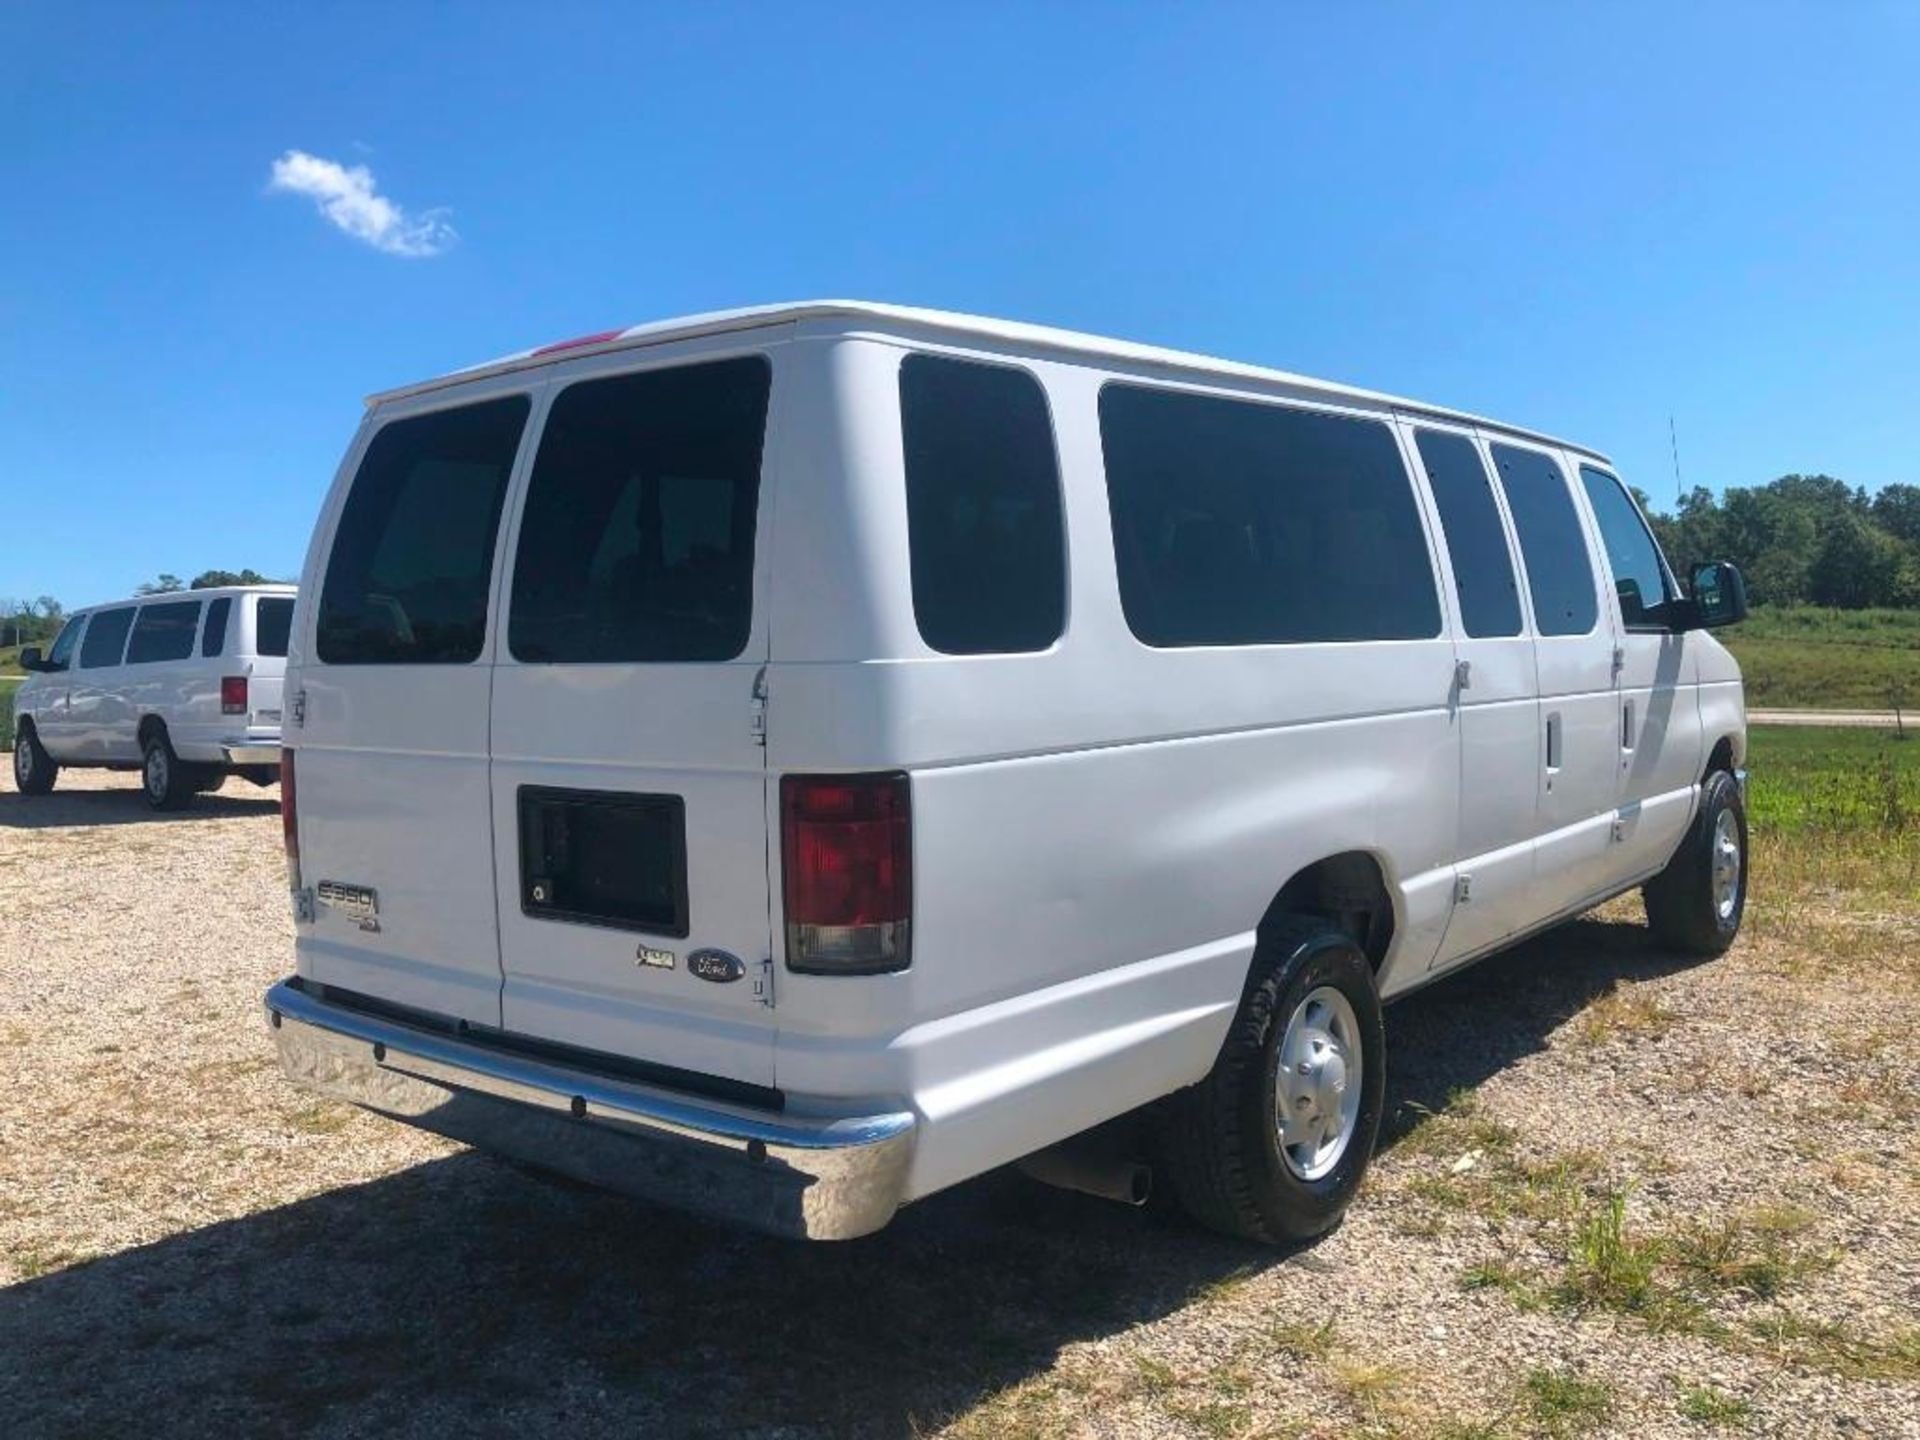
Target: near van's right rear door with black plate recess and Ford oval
pixel 629 779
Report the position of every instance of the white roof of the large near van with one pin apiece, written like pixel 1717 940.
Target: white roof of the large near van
pixel 907 320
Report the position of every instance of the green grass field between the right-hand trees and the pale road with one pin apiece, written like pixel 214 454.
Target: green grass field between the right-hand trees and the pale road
pixel 1806 658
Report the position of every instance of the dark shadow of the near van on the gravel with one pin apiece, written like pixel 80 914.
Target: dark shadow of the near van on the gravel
pixel 460 1297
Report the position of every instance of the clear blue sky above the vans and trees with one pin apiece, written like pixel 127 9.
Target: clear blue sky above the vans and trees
pixel 1581 218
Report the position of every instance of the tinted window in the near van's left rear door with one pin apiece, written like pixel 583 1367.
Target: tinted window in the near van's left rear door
pixel 414 554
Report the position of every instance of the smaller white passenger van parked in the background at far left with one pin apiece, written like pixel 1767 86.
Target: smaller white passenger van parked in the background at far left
pixel 183 688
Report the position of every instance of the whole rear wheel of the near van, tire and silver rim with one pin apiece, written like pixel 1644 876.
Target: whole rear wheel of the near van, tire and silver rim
pixel 1274 1143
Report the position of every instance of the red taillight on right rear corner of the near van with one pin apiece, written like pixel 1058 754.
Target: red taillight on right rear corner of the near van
pixel 848 855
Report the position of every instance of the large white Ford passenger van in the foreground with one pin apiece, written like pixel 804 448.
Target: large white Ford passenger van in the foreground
pixel 796 759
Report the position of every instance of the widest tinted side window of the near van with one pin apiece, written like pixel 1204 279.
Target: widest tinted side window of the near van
pixel 1241 523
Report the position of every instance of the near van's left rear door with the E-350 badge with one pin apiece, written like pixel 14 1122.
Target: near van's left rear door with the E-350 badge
pixel 393 681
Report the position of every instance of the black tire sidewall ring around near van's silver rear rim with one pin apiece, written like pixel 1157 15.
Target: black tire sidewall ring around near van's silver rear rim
pixel 1289 1205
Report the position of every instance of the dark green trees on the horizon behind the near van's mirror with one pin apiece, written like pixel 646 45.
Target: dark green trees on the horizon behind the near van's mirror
pixel 1804 540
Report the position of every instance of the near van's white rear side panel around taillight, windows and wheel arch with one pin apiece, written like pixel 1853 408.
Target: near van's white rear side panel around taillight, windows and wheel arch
pixel 1097 828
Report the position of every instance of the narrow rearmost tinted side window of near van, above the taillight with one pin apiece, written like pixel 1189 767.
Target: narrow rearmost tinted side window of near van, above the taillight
pixel 982 508
